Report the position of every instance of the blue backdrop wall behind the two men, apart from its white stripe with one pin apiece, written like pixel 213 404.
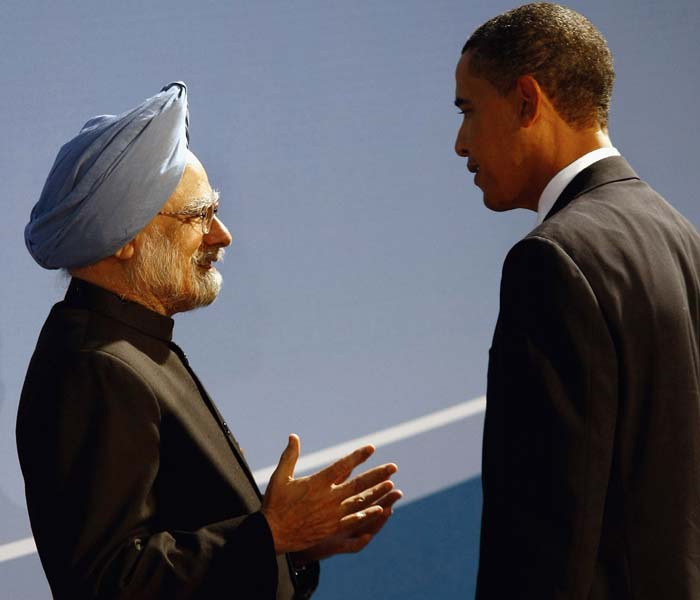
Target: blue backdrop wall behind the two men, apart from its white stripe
pixel 361 287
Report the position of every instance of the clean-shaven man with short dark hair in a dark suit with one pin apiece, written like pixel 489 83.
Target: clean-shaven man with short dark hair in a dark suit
pixel 591 457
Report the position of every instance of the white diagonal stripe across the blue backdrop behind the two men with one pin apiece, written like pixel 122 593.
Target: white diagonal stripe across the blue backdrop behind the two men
pixel 323 457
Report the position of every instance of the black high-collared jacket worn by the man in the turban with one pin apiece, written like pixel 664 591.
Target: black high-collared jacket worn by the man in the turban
pixel 135 486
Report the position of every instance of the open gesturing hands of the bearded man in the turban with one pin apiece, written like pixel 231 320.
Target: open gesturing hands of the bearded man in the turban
pixel 304 512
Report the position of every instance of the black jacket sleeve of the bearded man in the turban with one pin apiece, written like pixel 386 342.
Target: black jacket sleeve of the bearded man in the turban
pixel 91 458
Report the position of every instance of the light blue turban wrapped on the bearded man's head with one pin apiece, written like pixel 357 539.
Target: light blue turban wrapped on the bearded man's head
pixel 109 181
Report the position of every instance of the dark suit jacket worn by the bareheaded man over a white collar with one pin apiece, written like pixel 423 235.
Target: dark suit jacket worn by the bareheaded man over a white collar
pixel 591 459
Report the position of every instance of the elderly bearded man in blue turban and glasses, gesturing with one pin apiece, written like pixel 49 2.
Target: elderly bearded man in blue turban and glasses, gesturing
pixel 136 487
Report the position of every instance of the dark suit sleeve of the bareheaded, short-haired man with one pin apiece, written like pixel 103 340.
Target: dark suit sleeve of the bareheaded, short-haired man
pixel 549 430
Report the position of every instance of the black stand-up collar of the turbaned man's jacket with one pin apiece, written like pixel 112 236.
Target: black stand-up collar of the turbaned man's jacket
pixel 87 295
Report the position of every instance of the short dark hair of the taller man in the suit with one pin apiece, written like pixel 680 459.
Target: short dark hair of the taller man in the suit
pixel 560 48
